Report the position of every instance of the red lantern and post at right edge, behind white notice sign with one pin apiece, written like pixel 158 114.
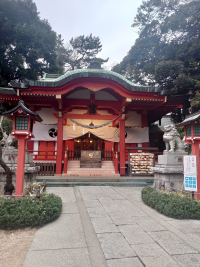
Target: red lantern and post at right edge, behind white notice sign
pixel 192 136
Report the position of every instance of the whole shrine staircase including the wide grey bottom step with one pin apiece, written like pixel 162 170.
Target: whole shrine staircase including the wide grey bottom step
pixel 104 176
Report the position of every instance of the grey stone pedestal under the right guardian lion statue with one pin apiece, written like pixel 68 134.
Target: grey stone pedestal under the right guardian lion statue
pixel 168 173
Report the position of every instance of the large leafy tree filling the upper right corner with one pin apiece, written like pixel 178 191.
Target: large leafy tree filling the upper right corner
pixel 167 50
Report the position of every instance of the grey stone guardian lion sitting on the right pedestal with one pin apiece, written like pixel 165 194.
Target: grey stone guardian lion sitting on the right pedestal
pixel 172 139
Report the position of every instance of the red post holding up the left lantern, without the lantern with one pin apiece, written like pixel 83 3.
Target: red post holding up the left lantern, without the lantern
pixel 20 165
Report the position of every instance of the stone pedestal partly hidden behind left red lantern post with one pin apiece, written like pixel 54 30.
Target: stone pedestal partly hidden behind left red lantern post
pixel 29 172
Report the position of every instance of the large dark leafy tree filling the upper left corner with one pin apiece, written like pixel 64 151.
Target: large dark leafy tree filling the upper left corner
pixel 27 43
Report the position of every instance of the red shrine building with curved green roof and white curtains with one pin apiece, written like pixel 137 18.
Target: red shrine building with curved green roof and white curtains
pixel 74 105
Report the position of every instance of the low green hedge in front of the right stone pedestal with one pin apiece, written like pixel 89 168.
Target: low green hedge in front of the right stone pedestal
pixel 171 204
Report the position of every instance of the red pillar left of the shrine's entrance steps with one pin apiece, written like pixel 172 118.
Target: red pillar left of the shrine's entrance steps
pixel 59 146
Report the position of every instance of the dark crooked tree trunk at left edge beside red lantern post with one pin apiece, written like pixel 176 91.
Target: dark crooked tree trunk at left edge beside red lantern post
pixel 8 188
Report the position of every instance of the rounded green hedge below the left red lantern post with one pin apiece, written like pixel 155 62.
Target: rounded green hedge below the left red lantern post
pixel 29 212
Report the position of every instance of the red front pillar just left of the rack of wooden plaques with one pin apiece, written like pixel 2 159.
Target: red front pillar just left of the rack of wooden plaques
pixel 122 147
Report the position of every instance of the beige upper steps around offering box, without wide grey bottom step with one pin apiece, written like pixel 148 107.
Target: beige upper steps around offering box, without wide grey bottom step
pixel 107 170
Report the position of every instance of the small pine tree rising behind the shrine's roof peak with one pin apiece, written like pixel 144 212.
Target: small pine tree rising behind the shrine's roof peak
pixel 81 51
